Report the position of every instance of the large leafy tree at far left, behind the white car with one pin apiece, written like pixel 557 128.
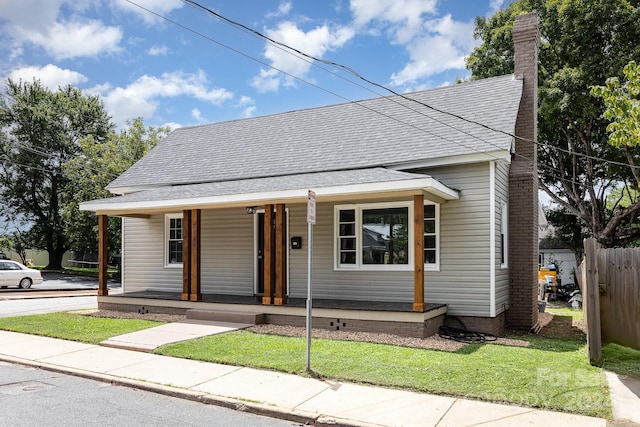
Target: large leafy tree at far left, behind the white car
pixel 41 131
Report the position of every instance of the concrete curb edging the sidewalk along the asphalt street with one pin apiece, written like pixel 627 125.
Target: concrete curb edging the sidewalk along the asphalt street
pixel 297 416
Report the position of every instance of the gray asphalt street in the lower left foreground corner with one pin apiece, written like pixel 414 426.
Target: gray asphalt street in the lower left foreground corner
pixel 36 397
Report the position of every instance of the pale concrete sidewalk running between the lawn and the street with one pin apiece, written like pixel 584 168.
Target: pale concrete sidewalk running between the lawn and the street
pixel 303 400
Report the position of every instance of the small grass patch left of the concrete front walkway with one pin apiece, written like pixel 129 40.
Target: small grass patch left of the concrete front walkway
pixel 74 327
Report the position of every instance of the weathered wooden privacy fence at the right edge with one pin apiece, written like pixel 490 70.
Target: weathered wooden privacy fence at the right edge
pixel 609 280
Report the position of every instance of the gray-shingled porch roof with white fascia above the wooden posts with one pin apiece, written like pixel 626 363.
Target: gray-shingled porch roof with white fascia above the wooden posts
pixel 329 186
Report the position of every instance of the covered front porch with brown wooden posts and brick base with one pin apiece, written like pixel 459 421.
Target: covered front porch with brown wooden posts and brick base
pixel 359 305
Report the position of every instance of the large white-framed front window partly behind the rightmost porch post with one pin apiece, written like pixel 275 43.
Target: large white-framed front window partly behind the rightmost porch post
pixel 380 236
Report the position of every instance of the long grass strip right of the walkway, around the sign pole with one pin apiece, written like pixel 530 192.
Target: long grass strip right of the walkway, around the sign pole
pixel 549 374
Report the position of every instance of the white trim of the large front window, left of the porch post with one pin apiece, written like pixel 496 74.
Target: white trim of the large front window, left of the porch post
pixel 359 266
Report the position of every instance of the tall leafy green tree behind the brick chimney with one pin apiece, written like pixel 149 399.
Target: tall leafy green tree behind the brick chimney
pixel 582 44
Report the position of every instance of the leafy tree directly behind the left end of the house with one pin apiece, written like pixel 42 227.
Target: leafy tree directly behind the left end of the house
pixel 99 164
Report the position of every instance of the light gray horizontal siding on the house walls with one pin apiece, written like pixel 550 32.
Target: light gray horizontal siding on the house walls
pixel 463 281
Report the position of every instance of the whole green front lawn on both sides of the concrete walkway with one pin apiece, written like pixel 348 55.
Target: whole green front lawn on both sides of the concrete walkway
pixel 550 372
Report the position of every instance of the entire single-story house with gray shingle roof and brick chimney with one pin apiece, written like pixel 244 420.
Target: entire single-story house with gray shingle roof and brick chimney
pixel 412 207
